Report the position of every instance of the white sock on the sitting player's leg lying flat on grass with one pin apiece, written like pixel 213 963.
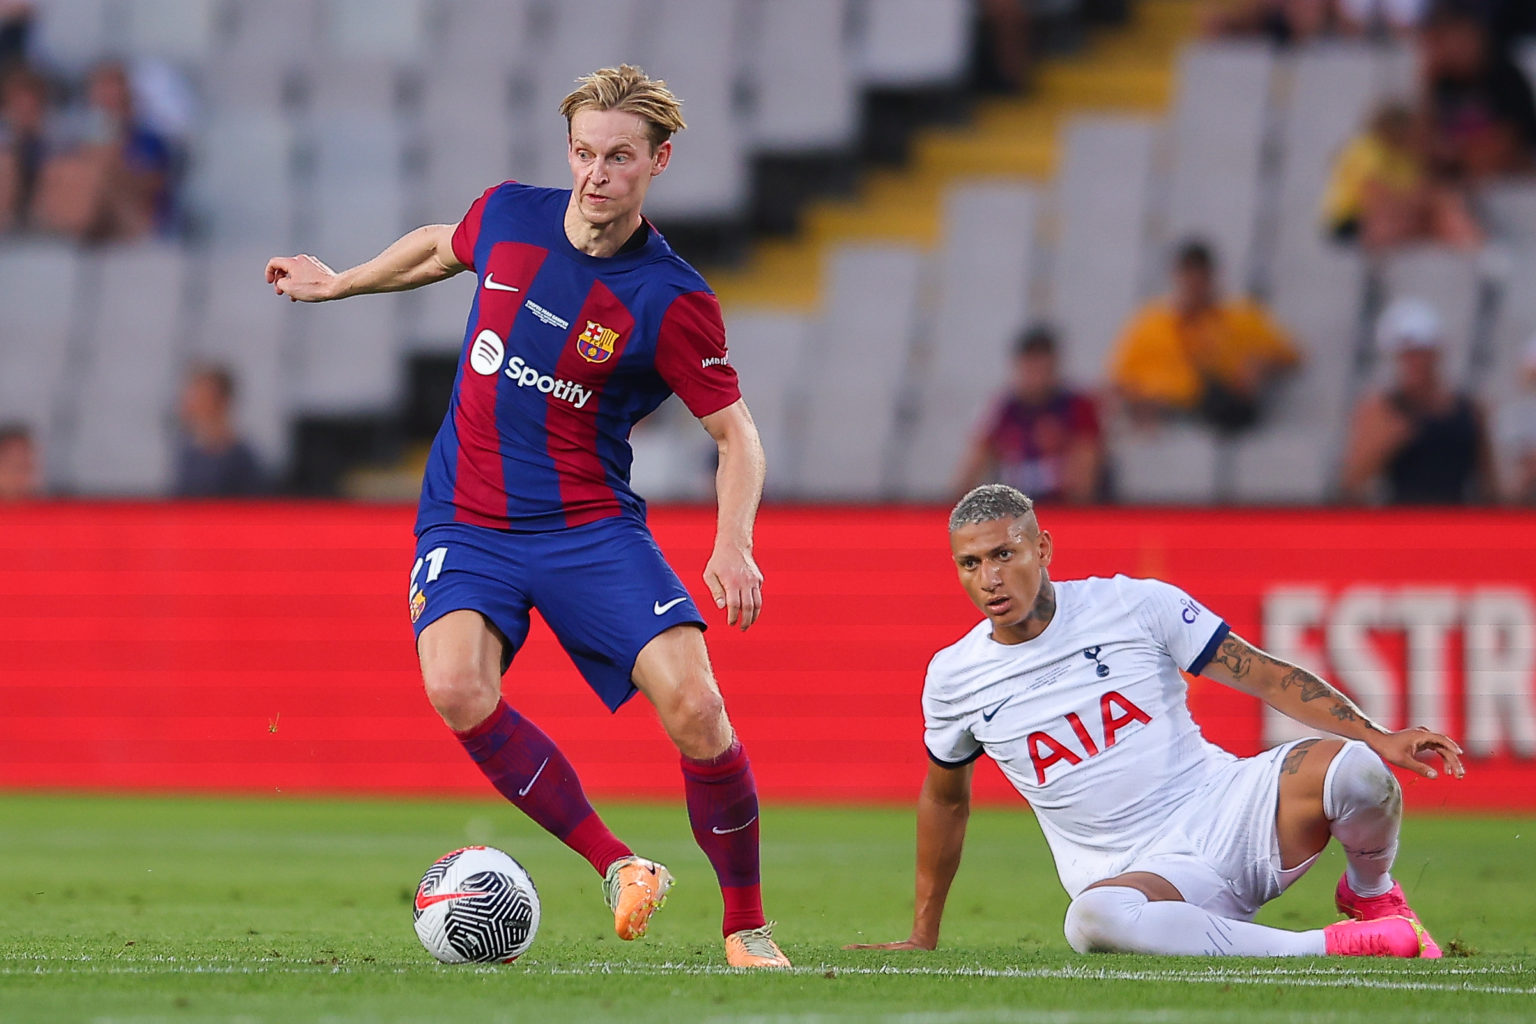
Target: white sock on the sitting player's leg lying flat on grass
pixel 1119 920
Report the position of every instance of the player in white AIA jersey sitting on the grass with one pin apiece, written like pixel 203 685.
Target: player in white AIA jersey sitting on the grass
pixel 1165 842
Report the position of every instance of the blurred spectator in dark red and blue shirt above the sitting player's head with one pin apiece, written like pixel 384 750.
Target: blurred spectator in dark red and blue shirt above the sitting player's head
pixel 1042 437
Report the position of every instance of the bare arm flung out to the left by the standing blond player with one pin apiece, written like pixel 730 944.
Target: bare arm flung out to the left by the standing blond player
pixel 419 259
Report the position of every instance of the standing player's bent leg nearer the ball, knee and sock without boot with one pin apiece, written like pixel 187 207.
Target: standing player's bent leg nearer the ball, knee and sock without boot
pixel 462 667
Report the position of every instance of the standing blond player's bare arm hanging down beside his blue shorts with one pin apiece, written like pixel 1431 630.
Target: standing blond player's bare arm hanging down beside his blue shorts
pixel 732 573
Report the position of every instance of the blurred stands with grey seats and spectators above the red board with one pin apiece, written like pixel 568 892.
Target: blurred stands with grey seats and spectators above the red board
pixel 1107 251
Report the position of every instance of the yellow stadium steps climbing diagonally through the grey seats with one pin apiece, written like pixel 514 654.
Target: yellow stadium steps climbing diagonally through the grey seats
pixel 1124 70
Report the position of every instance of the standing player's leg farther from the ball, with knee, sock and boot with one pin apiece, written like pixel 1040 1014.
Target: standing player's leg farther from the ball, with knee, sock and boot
pixel 674 673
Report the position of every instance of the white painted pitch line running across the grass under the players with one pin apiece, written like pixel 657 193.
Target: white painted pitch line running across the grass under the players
pixel 1300 977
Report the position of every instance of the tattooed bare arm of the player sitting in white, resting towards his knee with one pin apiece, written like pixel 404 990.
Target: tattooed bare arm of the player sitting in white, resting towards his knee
pixel 1311 701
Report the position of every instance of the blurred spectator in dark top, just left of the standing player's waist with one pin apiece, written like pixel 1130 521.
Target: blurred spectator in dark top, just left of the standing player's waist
pixel 211 458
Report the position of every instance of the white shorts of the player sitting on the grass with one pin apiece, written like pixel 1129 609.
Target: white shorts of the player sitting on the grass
pixel 1222 851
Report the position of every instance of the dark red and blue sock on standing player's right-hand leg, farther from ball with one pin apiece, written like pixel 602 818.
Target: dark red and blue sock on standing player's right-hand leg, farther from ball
pixel 723 808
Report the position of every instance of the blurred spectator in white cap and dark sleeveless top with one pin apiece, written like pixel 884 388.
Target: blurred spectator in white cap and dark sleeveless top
pixel 1418 443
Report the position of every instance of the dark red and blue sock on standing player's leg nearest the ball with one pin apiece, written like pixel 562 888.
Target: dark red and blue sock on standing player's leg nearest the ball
pixel 526 767
